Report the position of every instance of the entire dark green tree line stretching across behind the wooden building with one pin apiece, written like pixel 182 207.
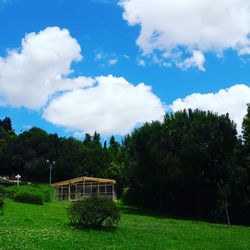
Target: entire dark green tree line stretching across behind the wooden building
pixel 193 164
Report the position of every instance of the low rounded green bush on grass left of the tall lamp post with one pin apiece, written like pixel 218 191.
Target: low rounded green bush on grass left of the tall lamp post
pixel 28 197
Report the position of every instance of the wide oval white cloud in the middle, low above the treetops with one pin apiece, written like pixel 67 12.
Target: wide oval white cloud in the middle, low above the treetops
pixel 111 106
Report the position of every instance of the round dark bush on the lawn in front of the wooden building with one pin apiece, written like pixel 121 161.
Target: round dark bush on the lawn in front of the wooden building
pixel 93 212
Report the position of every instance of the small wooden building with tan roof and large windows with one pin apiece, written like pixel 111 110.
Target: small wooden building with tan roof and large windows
pixel 82 187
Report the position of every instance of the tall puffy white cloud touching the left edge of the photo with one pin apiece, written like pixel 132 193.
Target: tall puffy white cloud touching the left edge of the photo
pixel 40 68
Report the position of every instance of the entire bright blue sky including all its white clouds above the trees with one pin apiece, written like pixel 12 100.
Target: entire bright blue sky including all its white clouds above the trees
pixel 122 45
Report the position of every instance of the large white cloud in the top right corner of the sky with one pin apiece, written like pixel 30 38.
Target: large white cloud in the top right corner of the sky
pixel 187 27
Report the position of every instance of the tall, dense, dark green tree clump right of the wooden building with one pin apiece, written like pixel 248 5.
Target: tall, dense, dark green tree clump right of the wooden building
pixel 176 165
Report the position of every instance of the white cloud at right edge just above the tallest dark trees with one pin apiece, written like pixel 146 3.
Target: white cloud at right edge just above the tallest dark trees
pixel 232 100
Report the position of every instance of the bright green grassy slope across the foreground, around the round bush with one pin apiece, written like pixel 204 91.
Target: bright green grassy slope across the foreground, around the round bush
pixel 26 226
